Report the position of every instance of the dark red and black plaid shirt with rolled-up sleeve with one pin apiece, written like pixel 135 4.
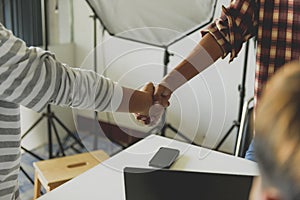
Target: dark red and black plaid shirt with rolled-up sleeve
pixel 276 25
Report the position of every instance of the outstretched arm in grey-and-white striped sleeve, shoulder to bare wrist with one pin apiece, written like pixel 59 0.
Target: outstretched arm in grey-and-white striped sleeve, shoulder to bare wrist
pixel 60 84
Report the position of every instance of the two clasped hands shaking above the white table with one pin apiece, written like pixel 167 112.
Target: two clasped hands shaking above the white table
pixel 157 99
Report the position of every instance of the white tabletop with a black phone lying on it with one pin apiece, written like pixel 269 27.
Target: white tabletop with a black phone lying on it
pixel 105 181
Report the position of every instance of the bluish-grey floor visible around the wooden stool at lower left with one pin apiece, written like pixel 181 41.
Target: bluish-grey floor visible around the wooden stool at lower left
pixel 90 143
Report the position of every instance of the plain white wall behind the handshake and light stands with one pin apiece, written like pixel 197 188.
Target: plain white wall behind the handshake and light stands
pixel 205 108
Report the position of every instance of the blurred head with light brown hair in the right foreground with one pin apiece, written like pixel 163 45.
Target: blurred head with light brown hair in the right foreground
pixel 277 135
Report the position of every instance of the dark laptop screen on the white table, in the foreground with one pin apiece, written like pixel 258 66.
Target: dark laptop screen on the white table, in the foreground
pixel 163 184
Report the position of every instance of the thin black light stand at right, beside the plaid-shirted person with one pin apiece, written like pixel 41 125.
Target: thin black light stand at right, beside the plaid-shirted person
pixel 241 89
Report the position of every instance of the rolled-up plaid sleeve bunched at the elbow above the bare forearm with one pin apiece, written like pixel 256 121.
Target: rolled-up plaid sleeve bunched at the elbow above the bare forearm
pixel 236 25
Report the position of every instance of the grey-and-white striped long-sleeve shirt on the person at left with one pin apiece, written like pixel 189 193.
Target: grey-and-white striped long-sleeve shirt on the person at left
pixel 33 78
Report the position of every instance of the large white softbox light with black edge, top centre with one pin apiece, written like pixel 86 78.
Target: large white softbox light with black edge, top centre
pixel 155 22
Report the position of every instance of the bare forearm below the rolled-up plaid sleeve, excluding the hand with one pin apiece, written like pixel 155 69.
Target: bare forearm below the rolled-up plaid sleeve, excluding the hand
pixel 203 55
